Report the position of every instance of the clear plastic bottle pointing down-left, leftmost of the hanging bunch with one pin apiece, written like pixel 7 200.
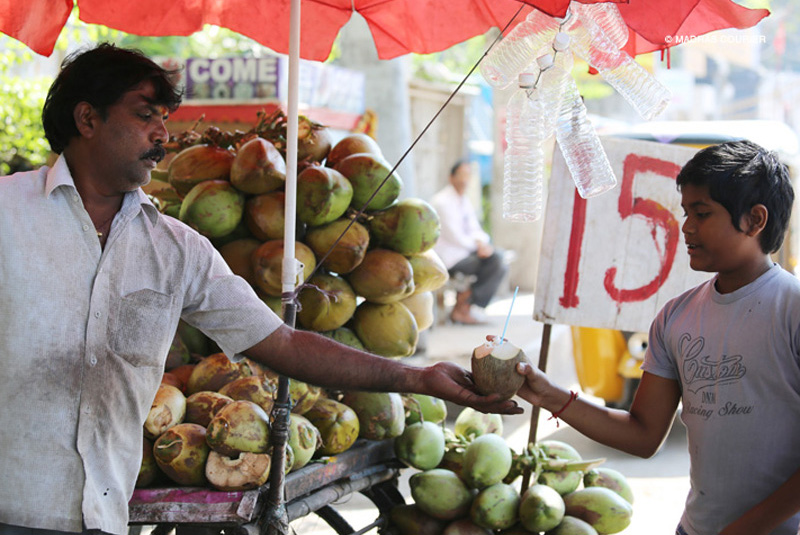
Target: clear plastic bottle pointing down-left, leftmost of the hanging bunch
pixel 518 49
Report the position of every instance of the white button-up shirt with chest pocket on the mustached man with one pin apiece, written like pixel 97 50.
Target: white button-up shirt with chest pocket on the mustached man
pixel 84 334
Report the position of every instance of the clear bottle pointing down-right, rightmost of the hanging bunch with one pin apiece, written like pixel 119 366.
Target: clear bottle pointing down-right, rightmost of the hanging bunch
pixel 646 94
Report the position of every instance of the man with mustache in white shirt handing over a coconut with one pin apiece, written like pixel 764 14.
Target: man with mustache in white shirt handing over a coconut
pixel 93 282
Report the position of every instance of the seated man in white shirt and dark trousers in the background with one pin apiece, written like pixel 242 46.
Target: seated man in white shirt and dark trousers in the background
pixel 465 247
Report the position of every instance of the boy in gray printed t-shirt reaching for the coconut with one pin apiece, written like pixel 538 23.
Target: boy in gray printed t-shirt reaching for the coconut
pixel 729 349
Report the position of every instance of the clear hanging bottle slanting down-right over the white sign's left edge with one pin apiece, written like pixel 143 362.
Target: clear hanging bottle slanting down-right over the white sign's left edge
pixel 576 137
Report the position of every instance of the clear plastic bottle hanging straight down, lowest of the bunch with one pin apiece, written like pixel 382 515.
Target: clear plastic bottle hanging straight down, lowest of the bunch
pixel 523 166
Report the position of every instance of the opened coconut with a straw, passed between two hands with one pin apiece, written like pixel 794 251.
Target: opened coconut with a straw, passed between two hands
pixel 494 364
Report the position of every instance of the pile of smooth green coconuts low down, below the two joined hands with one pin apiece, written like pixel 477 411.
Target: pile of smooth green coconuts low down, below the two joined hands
pixel 465 484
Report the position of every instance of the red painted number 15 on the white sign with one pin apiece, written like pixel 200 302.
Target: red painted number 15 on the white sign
pixel 657 217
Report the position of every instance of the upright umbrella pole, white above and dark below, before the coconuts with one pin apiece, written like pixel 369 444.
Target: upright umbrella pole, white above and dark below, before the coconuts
pixel 276 520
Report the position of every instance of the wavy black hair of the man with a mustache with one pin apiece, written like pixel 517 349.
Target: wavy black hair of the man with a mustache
pixel 100 76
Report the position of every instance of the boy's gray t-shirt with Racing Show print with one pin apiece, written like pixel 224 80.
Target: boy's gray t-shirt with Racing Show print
pixel 737 359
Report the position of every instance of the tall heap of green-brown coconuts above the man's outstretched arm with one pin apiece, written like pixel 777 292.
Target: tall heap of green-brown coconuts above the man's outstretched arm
pixel 370 251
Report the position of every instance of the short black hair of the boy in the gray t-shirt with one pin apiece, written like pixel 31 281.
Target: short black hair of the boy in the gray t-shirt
pixel 739 175
